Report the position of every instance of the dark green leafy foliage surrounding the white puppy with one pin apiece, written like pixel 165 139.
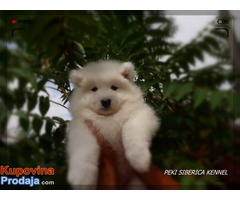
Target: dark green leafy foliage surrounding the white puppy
pixel 196 116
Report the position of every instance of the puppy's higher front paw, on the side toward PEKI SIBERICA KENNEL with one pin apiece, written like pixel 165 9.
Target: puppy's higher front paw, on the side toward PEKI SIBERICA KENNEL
pixel 139 159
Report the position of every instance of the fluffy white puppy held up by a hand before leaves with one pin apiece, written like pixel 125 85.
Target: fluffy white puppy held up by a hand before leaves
pixel 105 94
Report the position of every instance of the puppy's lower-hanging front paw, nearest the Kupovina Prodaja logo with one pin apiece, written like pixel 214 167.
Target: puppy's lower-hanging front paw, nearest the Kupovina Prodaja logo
pixel 83 177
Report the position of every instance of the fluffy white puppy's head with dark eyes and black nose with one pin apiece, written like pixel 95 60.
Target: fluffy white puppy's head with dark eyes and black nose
pixel 103 87
